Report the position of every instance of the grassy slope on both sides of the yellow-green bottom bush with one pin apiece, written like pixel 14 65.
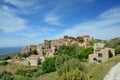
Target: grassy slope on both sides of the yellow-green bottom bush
pixel 96 71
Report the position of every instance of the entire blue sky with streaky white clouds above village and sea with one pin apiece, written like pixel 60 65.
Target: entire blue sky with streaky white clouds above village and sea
pixel 24 22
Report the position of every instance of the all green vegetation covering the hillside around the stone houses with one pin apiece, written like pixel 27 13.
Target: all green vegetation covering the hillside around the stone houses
pixel 67 65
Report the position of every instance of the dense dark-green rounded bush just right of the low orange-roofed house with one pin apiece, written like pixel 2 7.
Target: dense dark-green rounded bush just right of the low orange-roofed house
pixel 49 65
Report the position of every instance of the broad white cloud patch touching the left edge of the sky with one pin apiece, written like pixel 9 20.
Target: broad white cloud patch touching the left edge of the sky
pixel 9 22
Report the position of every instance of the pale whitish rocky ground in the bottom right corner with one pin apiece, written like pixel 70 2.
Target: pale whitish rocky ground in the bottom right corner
pixel 114 73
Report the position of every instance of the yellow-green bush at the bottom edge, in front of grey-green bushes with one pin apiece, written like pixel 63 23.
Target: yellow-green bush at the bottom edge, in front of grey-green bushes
pixel 74 74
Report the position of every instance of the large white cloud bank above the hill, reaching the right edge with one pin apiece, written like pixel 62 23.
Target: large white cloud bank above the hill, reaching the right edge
pixel 105 26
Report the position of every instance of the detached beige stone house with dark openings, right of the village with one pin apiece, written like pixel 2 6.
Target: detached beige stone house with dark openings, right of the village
pixel 102 55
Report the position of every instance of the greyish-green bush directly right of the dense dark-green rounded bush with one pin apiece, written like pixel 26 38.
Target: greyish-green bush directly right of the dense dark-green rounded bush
pixel 60 60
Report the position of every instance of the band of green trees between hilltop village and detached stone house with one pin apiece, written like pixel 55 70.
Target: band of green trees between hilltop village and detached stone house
pixel 75 51
